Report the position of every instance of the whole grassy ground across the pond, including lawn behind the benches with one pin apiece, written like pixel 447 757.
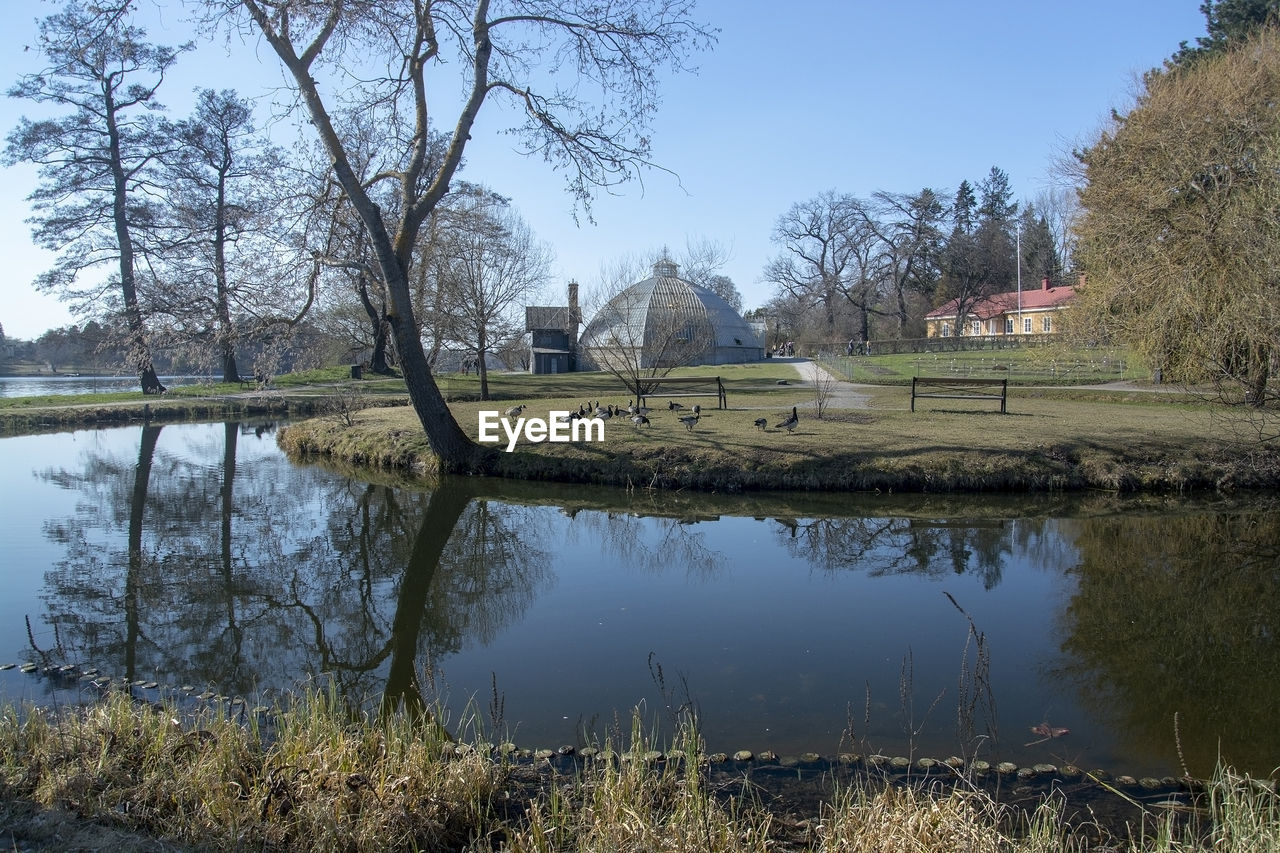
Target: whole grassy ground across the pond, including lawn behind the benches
pixel 1119 439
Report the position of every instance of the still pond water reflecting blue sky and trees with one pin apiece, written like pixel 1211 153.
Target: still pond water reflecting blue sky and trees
pixel 199 555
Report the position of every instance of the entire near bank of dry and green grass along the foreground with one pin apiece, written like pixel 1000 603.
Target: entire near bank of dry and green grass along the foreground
pixel 135 777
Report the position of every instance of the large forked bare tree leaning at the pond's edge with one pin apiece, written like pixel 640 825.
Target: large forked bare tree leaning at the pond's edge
pixel 496 53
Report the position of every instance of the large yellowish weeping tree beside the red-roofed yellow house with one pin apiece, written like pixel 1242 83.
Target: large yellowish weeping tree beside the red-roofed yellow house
pixel 1181 227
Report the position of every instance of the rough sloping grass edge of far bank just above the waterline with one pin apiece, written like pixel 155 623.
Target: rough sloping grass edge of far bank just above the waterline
pixel 387 440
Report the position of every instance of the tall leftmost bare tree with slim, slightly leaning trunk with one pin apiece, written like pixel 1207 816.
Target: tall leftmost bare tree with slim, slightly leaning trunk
pixel 98 162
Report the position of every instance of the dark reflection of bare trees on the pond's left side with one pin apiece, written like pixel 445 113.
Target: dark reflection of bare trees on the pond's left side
pixel 268 574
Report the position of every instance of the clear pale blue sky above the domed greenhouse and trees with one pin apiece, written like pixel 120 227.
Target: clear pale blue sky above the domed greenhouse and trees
pixel 793 101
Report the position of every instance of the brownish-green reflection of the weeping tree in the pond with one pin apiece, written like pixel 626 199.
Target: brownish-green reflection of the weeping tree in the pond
pixel 1180 615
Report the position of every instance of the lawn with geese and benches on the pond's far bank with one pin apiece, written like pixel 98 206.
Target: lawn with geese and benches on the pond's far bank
pixel 1050 440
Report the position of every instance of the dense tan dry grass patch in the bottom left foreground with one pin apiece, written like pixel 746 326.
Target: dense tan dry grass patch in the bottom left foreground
pixel 322 782
